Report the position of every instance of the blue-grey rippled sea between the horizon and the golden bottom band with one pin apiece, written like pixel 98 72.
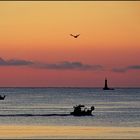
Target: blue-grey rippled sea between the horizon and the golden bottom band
pixel 52 106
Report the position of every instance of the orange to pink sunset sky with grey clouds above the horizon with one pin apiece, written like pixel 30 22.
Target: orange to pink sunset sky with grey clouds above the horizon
pixel 36 49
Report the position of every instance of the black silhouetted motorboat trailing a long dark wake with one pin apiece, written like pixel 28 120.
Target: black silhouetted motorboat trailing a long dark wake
pixel 80 110
